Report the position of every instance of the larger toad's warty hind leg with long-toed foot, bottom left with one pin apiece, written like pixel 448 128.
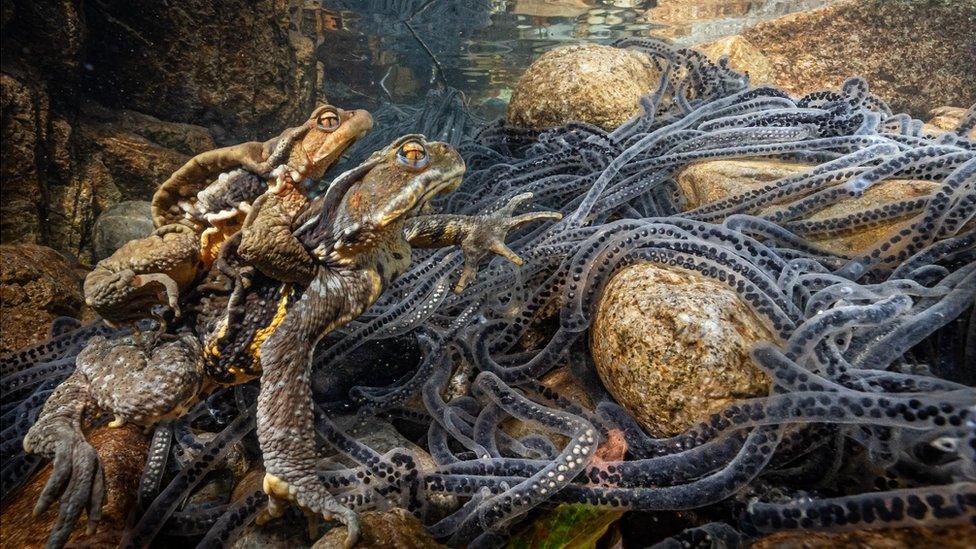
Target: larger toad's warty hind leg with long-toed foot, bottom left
pixel 132 377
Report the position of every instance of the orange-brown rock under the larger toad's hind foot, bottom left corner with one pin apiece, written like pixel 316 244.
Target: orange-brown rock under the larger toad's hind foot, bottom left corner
pixel 123 454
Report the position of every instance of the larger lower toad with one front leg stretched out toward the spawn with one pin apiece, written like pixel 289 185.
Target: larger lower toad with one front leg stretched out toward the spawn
pixel 330 263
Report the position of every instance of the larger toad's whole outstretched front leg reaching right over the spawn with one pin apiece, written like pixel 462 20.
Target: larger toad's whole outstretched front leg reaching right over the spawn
pixel 477 235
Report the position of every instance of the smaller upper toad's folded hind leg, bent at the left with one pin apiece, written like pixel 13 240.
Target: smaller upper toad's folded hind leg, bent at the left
pixel 144 273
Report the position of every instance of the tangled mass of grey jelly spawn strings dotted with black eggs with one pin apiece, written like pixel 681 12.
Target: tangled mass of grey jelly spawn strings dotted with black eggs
pixel 871 362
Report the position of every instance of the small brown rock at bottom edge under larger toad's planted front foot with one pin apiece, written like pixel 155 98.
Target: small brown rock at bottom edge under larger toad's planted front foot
pixel 393 529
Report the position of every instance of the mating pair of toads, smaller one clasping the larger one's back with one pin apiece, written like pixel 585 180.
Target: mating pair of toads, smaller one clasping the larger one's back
pixel 250 274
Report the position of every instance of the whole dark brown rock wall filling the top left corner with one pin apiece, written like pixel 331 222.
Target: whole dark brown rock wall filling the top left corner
pixel 240 67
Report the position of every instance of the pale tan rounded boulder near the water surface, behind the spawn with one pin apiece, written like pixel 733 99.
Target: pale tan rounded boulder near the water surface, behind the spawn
pixel 601 85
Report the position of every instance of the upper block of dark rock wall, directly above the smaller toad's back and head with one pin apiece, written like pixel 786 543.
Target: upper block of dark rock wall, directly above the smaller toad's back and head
pixel 233 64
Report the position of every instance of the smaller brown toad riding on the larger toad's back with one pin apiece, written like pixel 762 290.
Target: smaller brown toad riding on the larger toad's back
pixel 204 202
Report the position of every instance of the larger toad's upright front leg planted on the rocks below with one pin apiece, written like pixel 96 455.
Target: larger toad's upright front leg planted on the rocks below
pixel 286 431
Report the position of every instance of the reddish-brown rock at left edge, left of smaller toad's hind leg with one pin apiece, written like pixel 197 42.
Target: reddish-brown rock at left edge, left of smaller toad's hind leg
pixel 37 285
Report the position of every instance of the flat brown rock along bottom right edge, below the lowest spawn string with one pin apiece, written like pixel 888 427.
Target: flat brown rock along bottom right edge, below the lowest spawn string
pixel 955 537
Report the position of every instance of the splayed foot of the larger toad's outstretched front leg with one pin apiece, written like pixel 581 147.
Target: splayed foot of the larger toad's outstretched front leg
pixel 487 234
